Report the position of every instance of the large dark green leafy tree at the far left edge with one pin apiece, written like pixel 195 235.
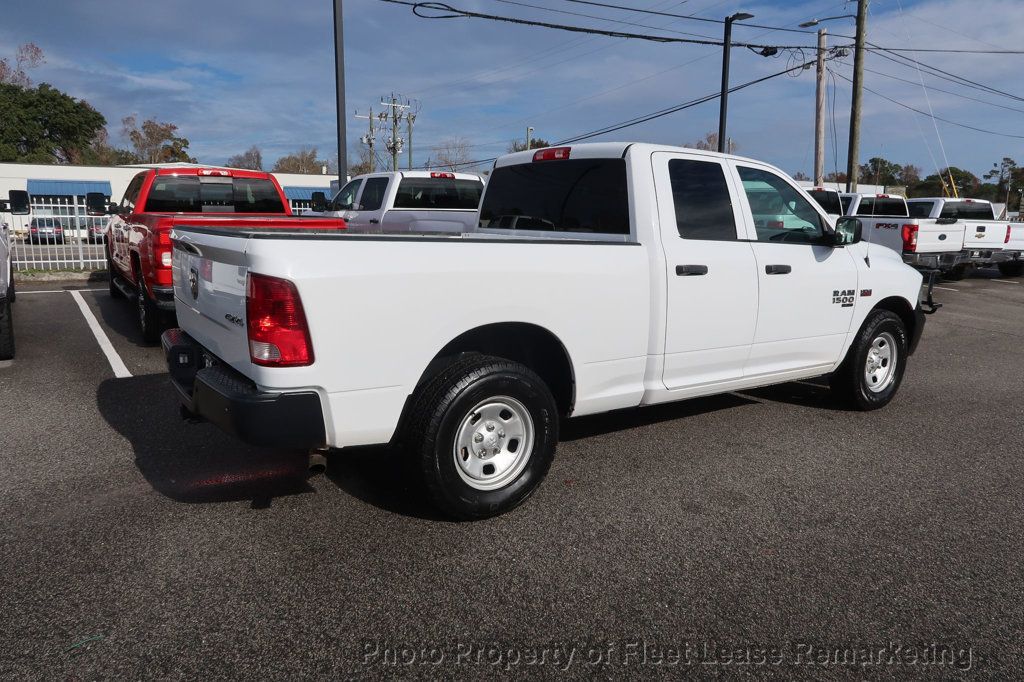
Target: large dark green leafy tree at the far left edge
pixel 44 125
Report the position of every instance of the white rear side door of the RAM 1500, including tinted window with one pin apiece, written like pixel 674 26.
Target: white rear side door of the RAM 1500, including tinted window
pixel 711 273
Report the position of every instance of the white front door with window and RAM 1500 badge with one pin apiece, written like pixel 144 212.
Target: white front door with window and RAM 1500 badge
pixel 807 289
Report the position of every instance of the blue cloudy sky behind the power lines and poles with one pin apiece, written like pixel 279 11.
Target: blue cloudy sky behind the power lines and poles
pixel 232 74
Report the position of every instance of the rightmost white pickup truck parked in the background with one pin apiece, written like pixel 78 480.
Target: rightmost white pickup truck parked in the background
pixel 987 241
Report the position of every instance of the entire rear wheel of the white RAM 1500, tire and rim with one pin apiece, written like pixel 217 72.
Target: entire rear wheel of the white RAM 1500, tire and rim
pixel 485 432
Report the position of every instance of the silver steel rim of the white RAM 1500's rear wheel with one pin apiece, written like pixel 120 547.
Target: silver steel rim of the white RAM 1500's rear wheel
pixel 494 443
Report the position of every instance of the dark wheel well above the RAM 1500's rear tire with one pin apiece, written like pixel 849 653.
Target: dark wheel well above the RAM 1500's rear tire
pixel 534 347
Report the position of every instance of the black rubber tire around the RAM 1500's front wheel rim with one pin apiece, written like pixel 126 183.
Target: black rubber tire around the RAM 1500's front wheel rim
pixel 850 383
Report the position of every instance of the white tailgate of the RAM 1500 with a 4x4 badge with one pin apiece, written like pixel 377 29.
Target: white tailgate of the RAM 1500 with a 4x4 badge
pixel 209 274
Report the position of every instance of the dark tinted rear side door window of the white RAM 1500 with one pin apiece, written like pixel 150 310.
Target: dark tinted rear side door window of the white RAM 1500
pixel 701 195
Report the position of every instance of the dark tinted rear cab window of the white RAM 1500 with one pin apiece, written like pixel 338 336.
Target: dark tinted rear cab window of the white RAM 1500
pixel 573 196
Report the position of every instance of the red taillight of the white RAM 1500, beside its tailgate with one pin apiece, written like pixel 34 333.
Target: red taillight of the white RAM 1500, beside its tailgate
pixel 279 335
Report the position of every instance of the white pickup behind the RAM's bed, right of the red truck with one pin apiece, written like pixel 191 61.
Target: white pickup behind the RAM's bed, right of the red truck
pixel 406 202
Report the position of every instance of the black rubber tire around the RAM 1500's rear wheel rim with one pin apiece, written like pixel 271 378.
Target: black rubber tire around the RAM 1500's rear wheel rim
pixel 440 409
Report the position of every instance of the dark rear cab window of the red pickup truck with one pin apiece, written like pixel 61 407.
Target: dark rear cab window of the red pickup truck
pixel 191 194
